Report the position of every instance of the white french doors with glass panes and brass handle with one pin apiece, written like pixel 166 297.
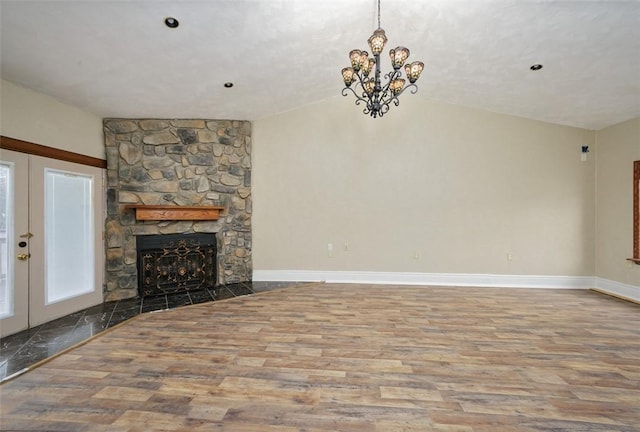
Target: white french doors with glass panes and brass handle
pixel 51 261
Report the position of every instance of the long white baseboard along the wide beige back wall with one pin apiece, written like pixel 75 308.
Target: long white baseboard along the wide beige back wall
pixel 448 279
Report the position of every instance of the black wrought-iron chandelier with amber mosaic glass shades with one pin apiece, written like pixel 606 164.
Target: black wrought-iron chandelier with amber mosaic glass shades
pixel 370 90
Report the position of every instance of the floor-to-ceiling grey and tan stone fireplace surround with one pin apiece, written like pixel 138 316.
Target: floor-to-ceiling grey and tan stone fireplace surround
pixel 177 163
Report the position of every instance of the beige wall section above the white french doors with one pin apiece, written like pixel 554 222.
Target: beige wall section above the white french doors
pixel 38 118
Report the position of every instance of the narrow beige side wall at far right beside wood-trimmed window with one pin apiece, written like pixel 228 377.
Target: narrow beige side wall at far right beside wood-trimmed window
pixel 618 147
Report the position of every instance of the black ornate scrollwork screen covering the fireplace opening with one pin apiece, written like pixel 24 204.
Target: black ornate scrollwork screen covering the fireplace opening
pixel 176 262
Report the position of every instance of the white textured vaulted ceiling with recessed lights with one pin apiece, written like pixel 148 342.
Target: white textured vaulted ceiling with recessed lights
pixel 118 59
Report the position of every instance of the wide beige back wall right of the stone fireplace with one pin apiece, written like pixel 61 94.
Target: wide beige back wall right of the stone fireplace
pixel 458 188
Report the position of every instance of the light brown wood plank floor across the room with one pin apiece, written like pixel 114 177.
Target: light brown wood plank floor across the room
pixel 350 358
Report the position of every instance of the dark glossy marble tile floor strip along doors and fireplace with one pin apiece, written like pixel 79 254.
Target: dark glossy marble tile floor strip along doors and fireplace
pixel 22 350
